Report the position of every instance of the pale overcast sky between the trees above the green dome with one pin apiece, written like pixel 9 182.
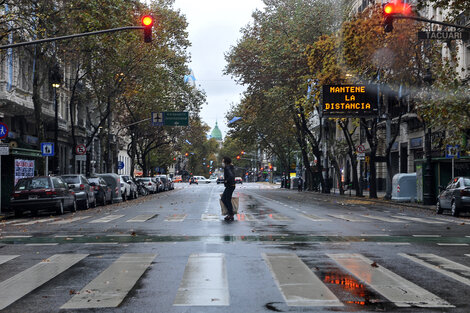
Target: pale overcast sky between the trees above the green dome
pixel 214 26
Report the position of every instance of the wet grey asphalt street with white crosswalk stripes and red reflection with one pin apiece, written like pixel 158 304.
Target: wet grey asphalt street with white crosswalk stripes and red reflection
pixel 285 252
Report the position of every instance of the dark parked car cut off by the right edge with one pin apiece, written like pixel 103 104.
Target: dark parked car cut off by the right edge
pixel 455 197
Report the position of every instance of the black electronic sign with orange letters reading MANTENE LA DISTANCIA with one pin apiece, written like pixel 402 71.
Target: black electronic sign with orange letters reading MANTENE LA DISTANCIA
pixel 349 100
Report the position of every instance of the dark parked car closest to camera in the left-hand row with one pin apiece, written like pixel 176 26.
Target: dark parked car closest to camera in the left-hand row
pixel 42 193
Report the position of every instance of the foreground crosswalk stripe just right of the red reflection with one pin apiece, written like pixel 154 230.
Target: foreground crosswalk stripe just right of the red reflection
pixel 398 290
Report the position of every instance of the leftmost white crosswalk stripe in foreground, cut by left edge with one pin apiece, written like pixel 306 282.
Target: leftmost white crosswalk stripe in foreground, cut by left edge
pixel 23 283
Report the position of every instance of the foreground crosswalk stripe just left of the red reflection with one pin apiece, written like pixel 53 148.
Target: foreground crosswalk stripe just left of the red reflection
pixel 298 285
